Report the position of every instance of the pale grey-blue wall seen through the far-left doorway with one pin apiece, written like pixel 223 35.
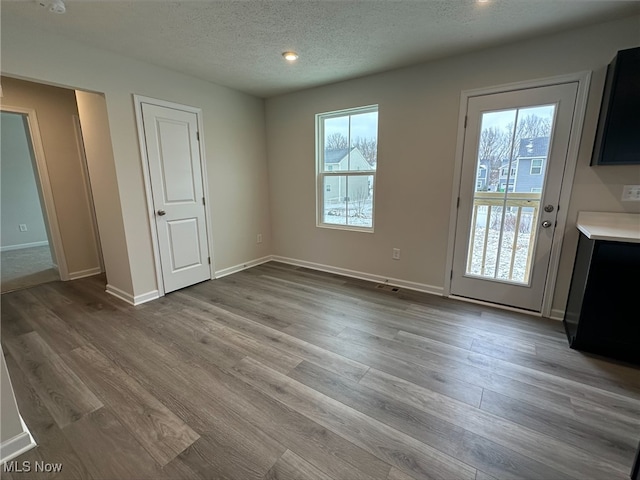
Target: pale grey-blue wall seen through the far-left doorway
pixel 20 198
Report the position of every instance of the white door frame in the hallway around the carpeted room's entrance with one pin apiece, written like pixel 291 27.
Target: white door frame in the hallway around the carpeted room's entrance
pixel 49 206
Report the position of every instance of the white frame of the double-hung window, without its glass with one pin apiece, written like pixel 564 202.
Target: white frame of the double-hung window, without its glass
pixel 321 174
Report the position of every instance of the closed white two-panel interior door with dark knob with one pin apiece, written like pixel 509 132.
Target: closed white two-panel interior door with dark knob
pixel 175 171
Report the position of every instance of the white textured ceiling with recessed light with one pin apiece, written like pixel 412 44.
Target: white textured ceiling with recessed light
pixel 239 43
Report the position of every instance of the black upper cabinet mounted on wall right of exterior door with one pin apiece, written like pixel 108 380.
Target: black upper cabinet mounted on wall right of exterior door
pixel 618 134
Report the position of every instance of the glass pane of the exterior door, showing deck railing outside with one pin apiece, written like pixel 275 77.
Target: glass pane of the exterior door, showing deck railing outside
pixel 513 153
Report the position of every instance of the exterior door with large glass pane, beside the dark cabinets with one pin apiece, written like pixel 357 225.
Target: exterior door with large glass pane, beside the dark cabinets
pixel 515 151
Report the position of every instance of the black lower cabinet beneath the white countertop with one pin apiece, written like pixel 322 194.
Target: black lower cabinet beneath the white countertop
pixel 602 309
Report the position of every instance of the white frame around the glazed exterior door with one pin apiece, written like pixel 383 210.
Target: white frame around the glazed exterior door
pixel 583 79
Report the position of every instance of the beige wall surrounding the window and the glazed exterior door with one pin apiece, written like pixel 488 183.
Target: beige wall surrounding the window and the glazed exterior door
pixel 418 115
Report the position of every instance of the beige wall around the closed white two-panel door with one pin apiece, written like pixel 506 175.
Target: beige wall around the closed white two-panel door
pixel 234 136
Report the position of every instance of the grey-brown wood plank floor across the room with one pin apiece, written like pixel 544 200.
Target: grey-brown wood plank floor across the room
pixel 280 372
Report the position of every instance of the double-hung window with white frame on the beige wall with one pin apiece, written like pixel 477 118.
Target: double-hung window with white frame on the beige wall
pixel 347 156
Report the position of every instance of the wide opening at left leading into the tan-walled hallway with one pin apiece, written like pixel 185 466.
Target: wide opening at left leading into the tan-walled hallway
pixel 49 230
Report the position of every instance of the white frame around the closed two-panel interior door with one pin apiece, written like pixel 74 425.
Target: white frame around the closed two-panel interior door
pixel 138 101
